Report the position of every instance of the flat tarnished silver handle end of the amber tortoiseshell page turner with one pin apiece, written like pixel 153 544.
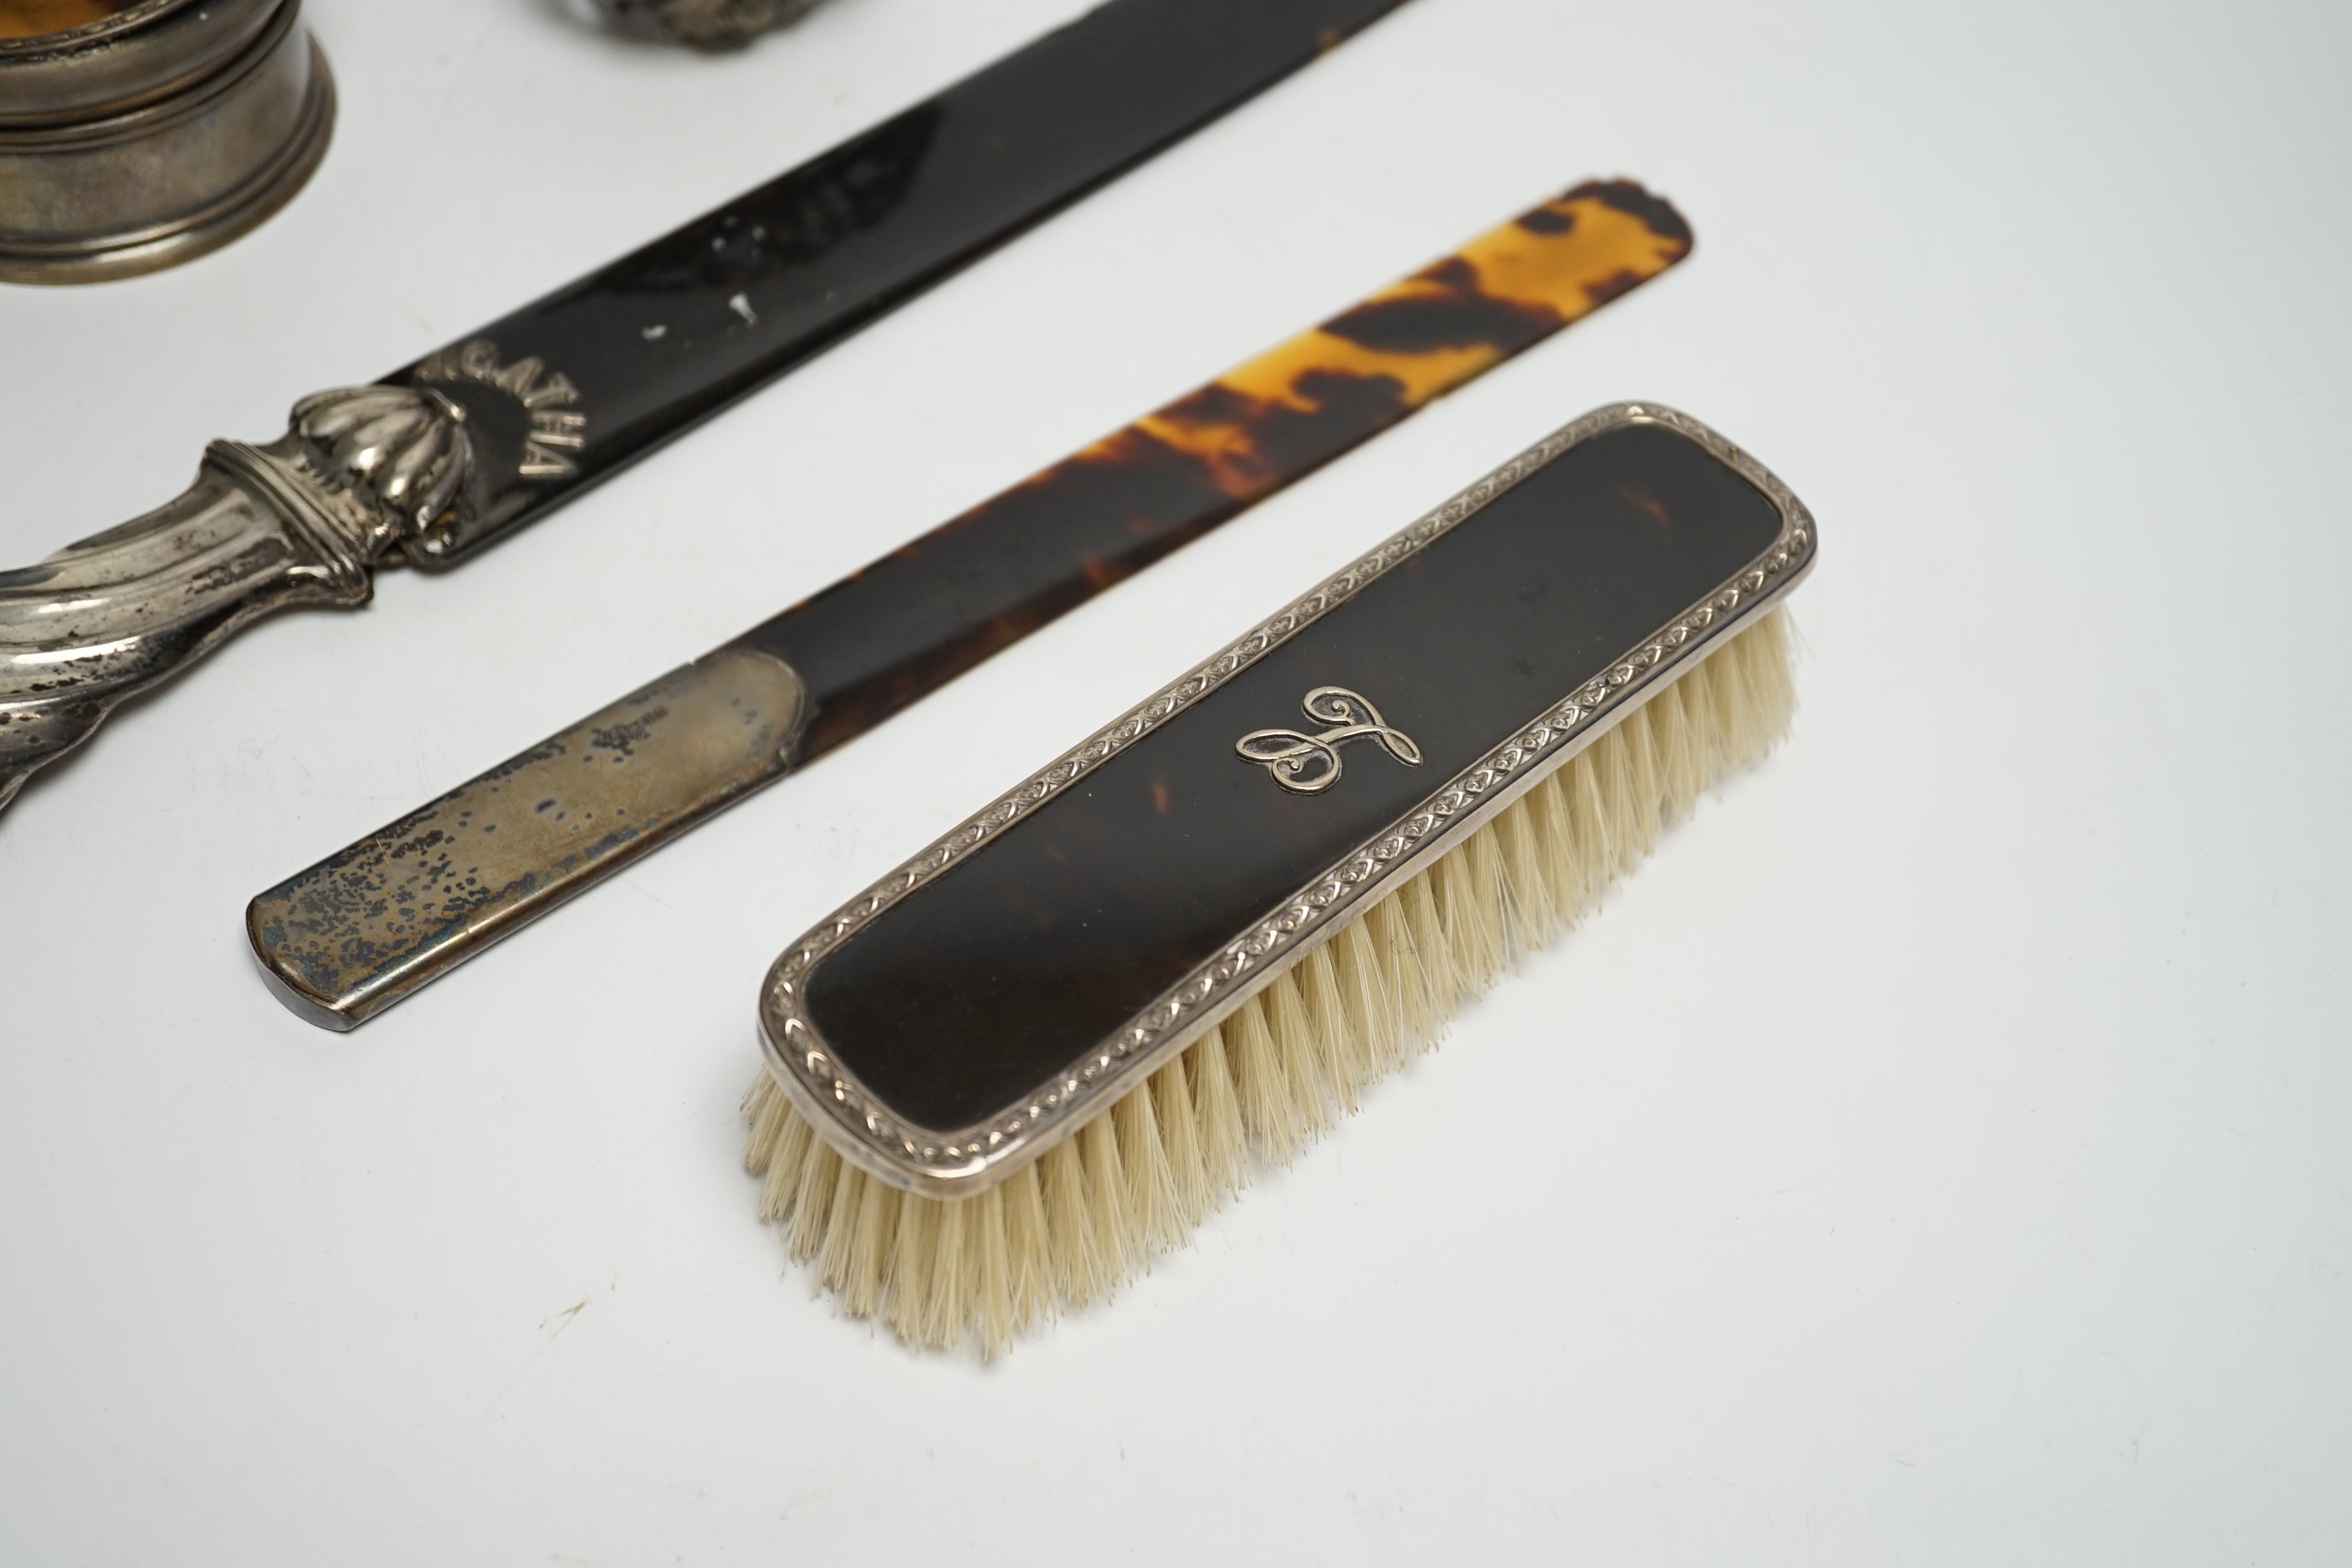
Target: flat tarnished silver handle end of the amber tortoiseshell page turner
pixel 413 902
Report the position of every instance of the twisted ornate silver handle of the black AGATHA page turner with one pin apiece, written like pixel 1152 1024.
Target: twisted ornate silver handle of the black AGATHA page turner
pixel 302 521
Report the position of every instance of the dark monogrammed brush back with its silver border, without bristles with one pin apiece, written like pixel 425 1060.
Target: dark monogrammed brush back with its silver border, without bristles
pixel 1142 887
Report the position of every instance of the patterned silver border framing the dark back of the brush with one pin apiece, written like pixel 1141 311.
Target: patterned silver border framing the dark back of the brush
pixel 975 1158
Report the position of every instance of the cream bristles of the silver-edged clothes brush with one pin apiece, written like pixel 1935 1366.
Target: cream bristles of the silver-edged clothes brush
pixel 1088 1217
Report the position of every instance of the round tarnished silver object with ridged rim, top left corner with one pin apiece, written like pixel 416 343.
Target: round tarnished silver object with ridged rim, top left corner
pixel 154 135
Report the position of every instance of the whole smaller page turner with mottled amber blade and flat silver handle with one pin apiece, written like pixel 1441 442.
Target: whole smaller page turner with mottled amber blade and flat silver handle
pixel 403 906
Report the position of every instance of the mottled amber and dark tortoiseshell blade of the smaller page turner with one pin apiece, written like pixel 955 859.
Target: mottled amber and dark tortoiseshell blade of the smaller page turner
pixel 911 622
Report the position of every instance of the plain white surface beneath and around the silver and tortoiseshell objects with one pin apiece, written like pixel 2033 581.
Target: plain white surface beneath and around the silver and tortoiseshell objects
pixel 1937 1155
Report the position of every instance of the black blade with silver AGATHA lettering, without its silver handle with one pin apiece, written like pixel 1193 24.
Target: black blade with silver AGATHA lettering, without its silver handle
pixel 589 380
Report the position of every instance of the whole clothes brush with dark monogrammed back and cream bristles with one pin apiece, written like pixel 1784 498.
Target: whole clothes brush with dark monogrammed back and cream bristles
pixel 1045 1047
